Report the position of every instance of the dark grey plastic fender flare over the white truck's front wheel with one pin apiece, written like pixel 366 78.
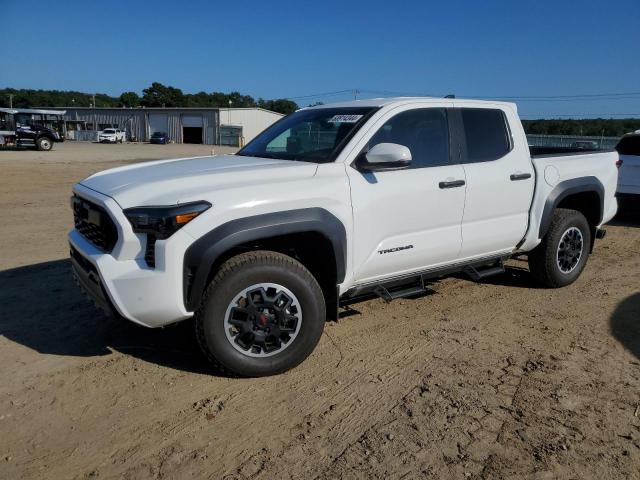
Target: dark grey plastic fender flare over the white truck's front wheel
pixel 203 253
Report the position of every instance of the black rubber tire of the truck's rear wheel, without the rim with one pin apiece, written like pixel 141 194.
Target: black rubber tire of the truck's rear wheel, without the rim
pixel 543 260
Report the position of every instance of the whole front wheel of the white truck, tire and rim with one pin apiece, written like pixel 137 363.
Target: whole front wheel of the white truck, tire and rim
pixel 262 314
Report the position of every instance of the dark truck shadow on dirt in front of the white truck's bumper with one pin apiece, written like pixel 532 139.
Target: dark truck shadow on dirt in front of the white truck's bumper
pixel 43 309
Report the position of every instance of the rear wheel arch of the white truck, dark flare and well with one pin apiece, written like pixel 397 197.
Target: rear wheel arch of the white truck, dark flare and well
pixel 584 194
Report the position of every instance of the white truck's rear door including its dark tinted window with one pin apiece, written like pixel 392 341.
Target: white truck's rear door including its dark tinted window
pixel 500 181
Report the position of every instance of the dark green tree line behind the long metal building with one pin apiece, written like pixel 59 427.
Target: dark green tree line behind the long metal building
pixel 156 95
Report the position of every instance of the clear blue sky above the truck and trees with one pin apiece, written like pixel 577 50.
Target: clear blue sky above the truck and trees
pixel 274 49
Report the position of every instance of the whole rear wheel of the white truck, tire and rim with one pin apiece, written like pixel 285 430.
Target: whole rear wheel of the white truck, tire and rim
pixel 560 258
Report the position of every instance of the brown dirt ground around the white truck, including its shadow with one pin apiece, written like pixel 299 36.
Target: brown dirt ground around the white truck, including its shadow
pixel 498 379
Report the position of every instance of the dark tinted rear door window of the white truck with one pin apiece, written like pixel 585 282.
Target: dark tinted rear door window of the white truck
pixel 486 134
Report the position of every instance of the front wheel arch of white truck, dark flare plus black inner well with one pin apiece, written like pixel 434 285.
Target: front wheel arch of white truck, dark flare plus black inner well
pixel 310 233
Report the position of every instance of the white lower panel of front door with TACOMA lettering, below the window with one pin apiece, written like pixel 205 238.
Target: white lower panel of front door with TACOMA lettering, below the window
pixel 406 216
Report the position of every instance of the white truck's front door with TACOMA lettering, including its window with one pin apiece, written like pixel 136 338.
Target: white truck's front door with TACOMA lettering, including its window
pixel 408 220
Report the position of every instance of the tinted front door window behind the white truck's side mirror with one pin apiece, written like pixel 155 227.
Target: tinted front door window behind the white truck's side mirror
pixel 424 132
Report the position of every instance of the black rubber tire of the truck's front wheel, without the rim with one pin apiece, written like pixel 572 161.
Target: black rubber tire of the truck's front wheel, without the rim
pixel 241 272
